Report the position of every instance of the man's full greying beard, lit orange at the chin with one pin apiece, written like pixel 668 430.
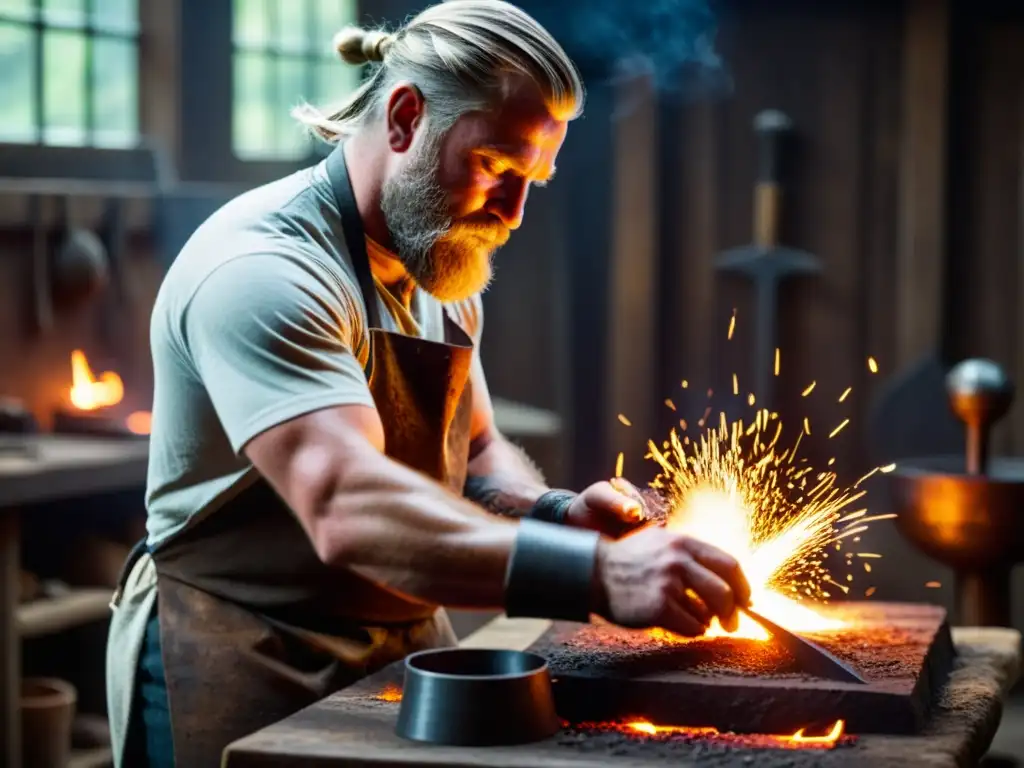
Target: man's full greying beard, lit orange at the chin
pixel 445 264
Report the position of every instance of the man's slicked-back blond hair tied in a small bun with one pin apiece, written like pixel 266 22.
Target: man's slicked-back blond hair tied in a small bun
pixel 459 55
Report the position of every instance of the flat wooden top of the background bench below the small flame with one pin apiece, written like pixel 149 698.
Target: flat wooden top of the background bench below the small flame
pixel 44 468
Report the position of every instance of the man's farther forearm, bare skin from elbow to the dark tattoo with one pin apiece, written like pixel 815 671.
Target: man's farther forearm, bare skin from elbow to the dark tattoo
pixel 503 480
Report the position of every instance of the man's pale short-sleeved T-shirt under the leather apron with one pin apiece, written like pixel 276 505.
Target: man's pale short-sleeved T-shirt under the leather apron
pixel 259 321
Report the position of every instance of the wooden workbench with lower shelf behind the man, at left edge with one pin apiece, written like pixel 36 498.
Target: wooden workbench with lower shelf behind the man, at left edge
pixel 34 471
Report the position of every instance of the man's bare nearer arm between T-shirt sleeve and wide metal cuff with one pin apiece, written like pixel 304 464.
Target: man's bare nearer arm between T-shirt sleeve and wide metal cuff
pixel 367 513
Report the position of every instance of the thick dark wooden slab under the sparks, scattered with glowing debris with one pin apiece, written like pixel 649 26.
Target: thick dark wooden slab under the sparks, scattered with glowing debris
pixel 904 651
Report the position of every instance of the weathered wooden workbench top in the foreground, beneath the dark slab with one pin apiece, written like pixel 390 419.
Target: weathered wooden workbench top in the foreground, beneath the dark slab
pixel 352 729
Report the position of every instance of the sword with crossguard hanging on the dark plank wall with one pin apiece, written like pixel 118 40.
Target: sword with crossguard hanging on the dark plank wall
pixel 765 263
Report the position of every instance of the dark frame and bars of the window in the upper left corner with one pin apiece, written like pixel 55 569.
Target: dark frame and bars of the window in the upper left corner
pixel 37 160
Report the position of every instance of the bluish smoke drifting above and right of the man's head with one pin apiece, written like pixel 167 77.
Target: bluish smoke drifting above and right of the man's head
pixel 672 41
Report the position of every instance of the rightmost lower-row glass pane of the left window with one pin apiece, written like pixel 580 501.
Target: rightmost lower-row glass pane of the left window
pixel 116 98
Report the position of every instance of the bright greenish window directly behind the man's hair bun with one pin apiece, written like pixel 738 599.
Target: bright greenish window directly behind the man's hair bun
pixel 283 56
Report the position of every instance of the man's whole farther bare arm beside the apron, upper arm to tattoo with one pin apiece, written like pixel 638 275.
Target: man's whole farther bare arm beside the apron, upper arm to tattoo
pixel 502 479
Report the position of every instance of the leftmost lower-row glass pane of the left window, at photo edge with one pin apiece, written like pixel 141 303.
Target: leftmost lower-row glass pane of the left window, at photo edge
pixel 18 83
